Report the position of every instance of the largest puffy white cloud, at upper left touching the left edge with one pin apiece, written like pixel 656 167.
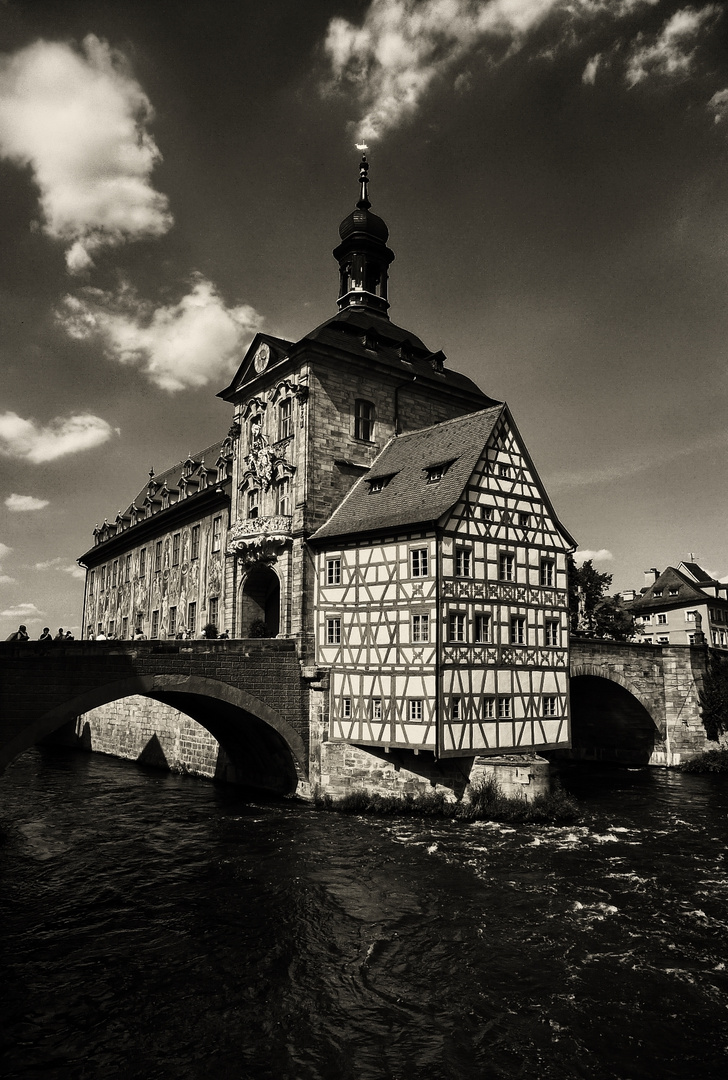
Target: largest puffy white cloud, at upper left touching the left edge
pixel 79 119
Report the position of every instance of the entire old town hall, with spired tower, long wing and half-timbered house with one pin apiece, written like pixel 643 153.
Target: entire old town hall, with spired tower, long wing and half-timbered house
pixel 378 508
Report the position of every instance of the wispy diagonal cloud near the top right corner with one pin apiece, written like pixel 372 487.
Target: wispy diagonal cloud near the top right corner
pixel 671 52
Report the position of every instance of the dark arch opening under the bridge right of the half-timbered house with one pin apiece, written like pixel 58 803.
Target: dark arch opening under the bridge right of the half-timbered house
pixel 612 718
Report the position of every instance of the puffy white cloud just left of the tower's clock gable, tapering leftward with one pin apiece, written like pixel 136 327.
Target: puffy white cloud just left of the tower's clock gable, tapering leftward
pixel 190 344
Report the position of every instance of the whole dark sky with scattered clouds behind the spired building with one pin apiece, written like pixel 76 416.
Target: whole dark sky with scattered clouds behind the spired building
pixel 555 177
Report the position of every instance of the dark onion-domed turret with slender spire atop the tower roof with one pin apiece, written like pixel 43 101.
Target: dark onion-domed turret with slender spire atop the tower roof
pixel 363 255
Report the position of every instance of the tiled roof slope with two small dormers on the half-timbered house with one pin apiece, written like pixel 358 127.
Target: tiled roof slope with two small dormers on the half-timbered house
pixel 408 498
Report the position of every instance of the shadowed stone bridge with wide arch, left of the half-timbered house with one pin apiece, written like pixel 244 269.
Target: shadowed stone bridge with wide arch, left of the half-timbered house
pixel 249 694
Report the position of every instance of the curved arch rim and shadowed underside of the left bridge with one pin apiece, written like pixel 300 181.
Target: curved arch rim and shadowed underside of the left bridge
pixel 265 750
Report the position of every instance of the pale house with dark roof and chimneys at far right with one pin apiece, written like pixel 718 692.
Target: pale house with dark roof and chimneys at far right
pixel 679 604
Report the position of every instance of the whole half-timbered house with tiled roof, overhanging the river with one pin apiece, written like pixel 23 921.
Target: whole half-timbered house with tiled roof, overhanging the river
pixel 451 632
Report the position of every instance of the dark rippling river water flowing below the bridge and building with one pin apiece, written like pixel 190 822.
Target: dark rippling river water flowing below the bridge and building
pixel 154 926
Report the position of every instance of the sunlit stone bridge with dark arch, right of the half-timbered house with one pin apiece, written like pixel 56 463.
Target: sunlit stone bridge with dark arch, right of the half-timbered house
pixel 636 704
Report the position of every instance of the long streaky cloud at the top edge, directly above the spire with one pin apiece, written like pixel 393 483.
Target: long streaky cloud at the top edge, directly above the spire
pixel 402 47
